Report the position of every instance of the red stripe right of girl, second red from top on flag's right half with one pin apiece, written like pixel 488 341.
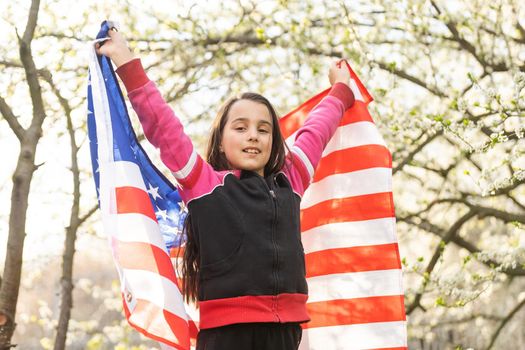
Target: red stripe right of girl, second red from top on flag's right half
pixel 353 159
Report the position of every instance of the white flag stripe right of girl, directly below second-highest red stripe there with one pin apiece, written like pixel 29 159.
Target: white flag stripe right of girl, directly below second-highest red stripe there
pixel 355 183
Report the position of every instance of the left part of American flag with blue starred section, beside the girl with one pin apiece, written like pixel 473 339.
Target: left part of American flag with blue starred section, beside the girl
pixel 141 213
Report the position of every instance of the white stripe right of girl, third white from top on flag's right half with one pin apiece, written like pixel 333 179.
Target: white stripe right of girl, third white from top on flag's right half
pixel 349 234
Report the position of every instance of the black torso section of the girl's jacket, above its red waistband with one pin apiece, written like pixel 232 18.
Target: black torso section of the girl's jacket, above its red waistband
pixel 248 233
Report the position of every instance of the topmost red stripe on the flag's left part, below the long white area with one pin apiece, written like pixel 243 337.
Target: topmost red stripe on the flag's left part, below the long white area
pixel 134 200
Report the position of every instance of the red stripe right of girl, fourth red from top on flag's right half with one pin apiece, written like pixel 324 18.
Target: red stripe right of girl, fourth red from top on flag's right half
pixel 353 259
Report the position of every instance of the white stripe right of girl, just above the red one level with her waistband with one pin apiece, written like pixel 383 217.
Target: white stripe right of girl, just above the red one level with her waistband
pixel 354 285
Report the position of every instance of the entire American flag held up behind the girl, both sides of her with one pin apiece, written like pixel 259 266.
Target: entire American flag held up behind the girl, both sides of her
pixel 347 220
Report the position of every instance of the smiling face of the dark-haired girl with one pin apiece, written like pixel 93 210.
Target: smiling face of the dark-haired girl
pixel 247 136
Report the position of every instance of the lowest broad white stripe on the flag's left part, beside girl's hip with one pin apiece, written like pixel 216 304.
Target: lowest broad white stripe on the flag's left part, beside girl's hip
pixel 154 288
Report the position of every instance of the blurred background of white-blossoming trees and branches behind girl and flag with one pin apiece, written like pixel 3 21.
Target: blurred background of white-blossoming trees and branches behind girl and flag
pixel 448 78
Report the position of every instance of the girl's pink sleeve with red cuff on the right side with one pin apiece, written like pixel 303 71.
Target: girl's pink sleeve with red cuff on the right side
pixel 314 135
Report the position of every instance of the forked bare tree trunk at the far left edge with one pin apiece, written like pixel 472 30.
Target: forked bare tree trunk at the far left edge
pixel 21 182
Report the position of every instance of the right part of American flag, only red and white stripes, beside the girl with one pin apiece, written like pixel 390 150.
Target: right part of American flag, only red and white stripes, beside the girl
pixel 348 232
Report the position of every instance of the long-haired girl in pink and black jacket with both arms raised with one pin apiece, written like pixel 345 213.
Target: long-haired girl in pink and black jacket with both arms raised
pixel 244 261
